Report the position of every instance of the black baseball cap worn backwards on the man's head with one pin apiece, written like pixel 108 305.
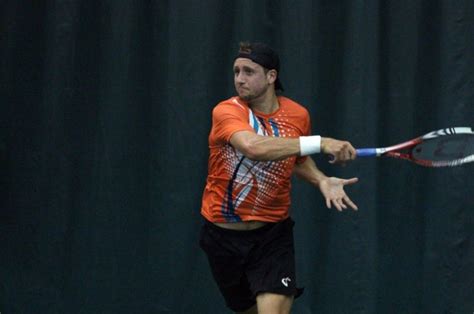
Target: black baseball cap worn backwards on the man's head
pixel 264 55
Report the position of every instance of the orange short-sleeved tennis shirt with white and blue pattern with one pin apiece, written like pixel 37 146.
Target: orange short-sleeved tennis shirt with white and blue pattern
pixel 240 189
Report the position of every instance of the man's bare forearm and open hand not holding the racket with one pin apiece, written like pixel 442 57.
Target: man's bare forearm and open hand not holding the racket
pixel 332 188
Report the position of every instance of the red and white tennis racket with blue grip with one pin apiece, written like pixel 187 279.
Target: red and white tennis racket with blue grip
pixel 442 148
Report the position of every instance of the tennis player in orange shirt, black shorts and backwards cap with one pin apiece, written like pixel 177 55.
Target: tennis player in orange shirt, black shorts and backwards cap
pixel 257 141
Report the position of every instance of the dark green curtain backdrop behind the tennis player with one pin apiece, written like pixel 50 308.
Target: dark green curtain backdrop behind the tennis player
pixel 105 110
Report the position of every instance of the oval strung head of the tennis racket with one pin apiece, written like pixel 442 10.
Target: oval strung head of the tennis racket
pixel 444 148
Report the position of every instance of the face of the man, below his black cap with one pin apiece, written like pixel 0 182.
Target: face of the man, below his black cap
pixel 250 79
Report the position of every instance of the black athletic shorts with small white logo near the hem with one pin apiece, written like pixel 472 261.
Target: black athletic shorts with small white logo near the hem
pixel 246 263
